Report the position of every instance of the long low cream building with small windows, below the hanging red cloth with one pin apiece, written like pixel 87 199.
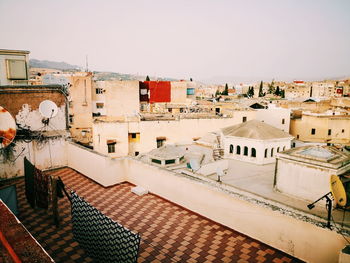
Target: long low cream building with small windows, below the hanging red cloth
pixel 119 138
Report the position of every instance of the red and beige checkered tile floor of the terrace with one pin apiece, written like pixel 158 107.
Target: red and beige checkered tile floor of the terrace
pixel 169 233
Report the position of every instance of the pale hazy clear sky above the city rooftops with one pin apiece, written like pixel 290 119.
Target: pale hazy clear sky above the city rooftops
pixel 214 40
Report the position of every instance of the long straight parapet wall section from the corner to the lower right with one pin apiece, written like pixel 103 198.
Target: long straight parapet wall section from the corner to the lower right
pixel 273 225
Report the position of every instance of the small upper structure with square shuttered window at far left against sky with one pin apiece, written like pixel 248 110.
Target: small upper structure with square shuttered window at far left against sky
pixel 14 67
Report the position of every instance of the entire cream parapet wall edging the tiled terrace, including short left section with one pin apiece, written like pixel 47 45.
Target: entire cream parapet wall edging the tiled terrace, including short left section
pixel 294 232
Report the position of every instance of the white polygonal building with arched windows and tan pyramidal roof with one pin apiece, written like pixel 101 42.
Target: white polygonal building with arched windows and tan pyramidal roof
pixel 254 141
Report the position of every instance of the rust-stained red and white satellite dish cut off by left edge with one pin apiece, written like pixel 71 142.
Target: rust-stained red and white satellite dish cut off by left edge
pixel 7 128
